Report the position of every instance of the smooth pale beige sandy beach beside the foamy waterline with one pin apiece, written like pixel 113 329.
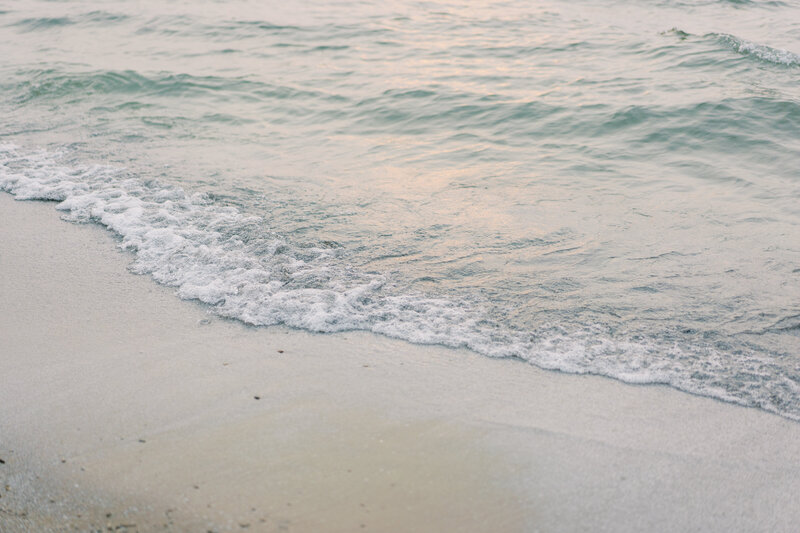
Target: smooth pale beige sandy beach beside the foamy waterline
pixel 124 408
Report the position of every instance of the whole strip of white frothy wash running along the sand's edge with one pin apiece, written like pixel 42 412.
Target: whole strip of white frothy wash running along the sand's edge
pixel 244 269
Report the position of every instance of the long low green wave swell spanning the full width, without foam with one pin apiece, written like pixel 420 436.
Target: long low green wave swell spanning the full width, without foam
pixel 425 110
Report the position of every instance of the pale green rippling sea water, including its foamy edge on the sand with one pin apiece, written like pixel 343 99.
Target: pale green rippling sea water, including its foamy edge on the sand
pixel 601 187
